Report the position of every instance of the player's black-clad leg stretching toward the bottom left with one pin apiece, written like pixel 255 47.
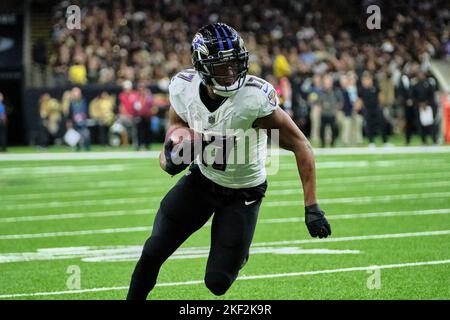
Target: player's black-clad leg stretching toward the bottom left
pixel 184 210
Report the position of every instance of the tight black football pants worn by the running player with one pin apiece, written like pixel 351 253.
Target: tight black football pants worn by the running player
pixel 184 210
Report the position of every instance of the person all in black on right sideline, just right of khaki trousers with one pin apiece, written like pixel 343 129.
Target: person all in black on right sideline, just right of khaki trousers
pixel 375 122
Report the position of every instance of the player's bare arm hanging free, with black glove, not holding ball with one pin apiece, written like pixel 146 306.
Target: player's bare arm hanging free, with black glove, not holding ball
pixel 291 138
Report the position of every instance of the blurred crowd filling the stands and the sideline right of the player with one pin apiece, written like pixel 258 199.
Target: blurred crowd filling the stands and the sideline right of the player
pixel 335 77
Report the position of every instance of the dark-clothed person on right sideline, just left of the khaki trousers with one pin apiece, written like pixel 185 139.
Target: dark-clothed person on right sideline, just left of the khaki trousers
pixel 329 101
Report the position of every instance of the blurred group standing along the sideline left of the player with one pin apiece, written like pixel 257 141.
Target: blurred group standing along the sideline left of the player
pixel 135 116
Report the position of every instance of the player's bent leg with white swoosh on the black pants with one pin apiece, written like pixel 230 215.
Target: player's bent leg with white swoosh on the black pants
pixel 232 232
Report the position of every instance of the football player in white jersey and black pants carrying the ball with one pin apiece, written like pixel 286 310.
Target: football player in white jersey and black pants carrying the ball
pixel 214 97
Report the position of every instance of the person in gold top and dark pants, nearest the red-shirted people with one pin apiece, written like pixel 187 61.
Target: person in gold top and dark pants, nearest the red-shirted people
pixel 101 109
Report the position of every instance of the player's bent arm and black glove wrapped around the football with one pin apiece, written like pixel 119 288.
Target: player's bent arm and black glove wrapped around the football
pixel 165 156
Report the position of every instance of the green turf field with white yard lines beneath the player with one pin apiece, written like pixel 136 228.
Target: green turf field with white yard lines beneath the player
pixel 390 216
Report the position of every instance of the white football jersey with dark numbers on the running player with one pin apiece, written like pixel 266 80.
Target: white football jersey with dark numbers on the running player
pixel 236 156
